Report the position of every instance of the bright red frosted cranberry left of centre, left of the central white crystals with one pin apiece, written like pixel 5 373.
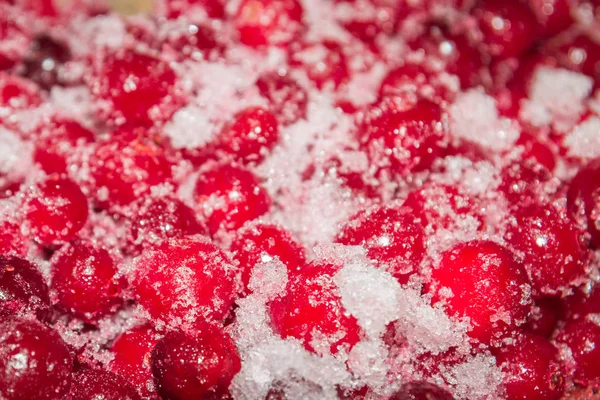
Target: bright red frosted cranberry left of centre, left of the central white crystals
pixel 230 196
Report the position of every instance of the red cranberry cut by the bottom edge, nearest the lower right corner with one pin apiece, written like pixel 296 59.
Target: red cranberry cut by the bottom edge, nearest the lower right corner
pixel 531 369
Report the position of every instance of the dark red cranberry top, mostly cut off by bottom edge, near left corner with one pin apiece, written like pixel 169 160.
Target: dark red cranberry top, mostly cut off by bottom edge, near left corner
pixel 97 383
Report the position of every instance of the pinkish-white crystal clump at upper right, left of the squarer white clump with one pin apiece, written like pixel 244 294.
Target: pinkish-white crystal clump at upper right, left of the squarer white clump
pixel 474 117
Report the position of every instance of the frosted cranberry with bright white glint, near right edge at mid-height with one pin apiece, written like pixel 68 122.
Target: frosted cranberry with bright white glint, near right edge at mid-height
pixel 552 248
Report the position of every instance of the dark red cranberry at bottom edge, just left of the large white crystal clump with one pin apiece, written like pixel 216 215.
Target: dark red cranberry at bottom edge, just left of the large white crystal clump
pixel 197 365
